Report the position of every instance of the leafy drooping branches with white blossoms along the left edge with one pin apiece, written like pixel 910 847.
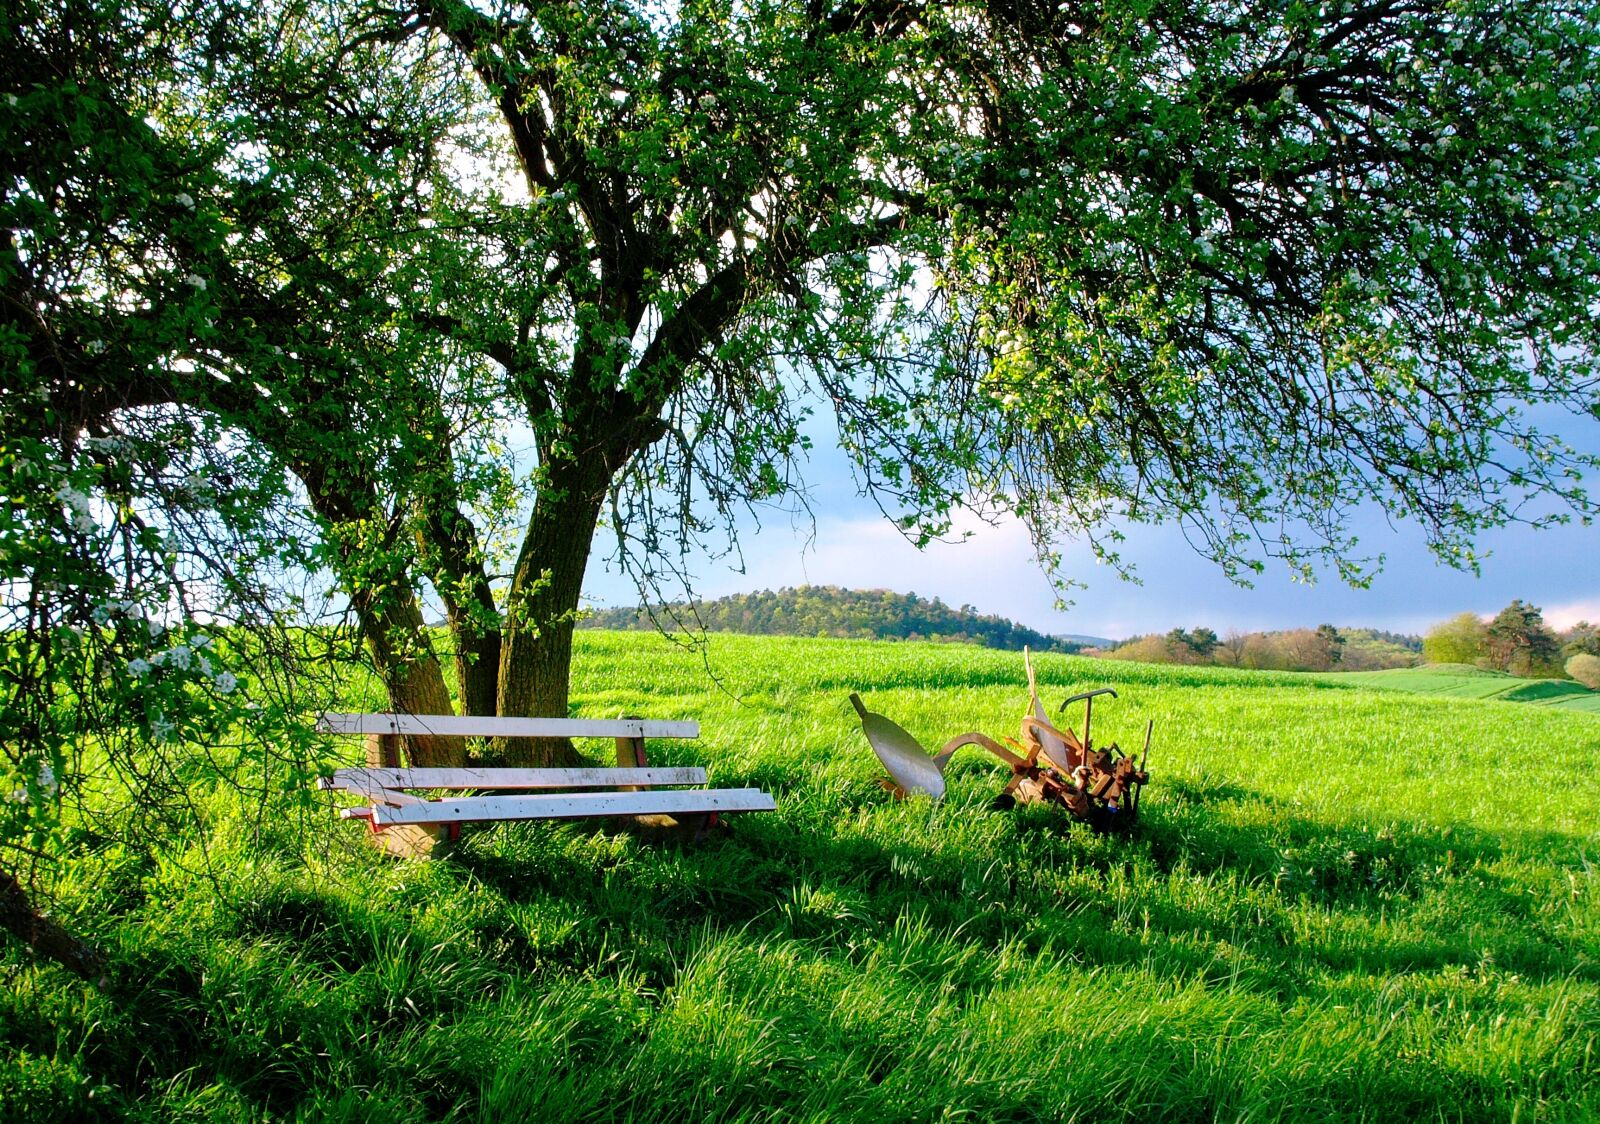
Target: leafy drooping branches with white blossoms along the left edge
pixel 148 552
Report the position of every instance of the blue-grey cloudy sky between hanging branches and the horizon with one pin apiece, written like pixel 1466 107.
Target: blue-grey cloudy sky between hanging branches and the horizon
pixel 996 572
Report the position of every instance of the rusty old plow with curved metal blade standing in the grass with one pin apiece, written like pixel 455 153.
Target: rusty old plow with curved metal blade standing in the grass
pixel 1049 765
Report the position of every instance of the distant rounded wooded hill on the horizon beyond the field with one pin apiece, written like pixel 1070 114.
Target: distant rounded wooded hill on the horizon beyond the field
pixel 850 614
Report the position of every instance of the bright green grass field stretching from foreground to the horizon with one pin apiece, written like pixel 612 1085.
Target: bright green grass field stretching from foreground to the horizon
pixel 1342 905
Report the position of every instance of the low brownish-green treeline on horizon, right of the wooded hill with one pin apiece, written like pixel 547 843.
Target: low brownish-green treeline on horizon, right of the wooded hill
pixel 1302 649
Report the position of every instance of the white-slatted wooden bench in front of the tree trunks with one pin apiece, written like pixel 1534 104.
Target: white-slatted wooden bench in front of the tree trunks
pixel 414 824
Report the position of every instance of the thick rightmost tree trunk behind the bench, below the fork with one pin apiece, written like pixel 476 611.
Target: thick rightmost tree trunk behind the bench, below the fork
pixel 537 648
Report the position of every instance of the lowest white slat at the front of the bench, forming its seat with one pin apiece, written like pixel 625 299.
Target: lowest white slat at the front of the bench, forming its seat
pixel 567 806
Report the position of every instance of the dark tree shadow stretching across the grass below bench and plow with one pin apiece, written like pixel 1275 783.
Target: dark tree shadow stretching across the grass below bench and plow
pixel 300 990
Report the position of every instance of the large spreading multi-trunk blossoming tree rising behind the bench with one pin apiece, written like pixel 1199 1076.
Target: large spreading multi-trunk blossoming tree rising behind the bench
pixel 1236 267
